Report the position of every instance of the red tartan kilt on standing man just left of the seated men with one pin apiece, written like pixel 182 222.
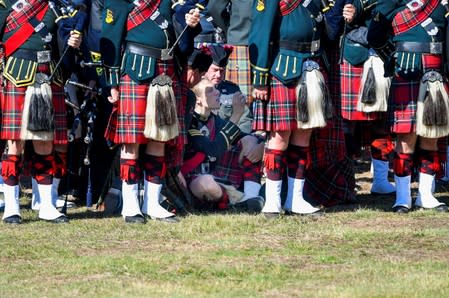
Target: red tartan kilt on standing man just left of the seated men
pixel 127 121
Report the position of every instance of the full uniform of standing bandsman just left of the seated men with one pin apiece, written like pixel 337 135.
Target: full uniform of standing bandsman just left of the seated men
pixel 143 60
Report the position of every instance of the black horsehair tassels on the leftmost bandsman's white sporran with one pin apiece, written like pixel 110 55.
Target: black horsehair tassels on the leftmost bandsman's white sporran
pixel 41 116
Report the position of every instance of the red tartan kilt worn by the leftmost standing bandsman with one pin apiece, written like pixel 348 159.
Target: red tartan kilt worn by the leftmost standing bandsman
pixel 12 100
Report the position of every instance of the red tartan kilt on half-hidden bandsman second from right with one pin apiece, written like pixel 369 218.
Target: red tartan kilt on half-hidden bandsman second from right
pixel 350 80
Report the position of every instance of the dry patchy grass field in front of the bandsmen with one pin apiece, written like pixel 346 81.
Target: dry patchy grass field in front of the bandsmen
pixel 354 251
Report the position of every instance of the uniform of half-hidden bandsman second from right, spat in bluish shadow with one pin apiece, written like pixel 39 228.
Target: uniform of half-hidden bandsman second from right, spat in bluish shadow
pixel 358 61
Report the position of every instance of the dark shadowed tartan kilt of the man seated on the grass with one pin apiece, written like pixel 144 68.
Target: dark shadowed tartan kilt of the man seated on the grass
pixel 228 167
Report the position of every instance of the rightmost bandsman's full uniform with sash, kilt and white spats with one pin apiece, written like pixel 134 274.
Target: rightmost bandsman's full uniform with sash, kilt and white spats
pixel 418 29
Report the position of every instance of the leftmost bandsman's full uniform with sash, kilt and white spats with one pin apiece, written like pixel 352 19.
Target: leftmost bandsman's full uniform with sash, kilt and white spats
pixel 31 51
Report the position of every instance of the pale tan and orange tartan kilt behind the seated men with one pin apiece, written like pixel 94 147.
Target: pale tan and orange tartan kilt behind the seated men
pixel 238 70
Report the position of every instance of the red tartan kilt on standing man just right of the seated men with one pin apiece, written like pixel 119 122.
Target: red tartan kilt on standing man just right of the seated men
pixel 279 112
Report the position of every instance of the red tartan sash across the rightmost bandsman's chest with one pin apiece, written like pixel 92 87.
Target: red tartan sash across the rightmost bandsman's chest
pixel 407 19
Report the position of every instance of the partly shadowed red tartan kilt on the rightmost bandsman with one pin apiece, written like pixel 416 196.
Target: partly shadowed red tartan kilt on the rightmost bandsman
pixel 402 103
